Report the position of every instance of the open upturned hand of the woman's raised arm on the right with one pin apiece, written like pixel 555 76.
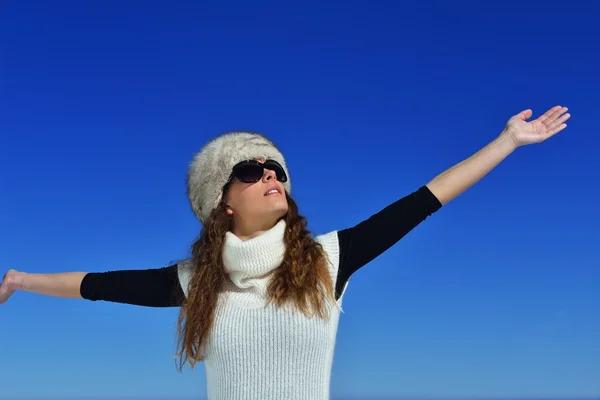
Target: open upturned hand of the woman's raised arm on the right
pixel 538 130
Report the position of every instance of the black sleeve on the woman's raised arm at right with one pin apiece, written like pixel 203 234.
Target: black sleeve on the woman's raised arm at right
pixel 366 241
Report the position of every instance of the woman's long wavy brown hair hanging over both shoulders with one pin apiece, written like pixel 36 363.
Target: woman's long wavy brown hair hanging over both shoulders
pixel 302 279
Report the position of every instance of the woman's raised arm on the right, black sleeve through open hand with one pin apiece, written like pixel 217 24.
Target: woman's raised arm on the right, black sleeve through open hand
pixel 367 240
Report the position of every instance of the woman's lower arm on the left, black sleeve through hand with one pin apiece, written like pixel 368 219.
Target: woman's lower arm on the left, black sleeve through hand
pixel 149 287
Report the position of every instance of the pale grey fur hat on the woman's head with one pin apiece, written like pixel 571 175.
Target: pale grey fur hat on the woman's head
pixel 211 167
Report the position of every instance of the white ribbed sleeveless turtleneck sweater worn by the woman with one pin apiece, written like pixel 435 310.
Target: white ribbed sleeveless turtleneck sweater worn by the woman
pixel 258 352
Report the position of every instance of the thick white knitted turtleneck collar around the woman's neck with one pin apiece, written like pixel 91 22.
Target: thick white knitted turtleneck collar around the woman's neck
pixel 247 262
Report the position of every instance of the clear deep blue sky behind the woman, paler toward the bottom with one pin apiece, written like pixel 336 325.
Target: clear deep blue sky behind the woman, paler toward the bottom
pixel 103 105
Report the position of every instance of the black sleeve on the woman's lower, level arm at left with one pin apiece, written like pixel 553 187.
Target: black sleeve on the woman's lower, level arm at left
pixel 148 287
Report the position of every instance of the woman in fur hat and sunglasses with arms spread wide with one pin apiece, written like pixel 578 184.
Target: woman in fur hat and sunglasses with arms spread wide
pixel 260 298
